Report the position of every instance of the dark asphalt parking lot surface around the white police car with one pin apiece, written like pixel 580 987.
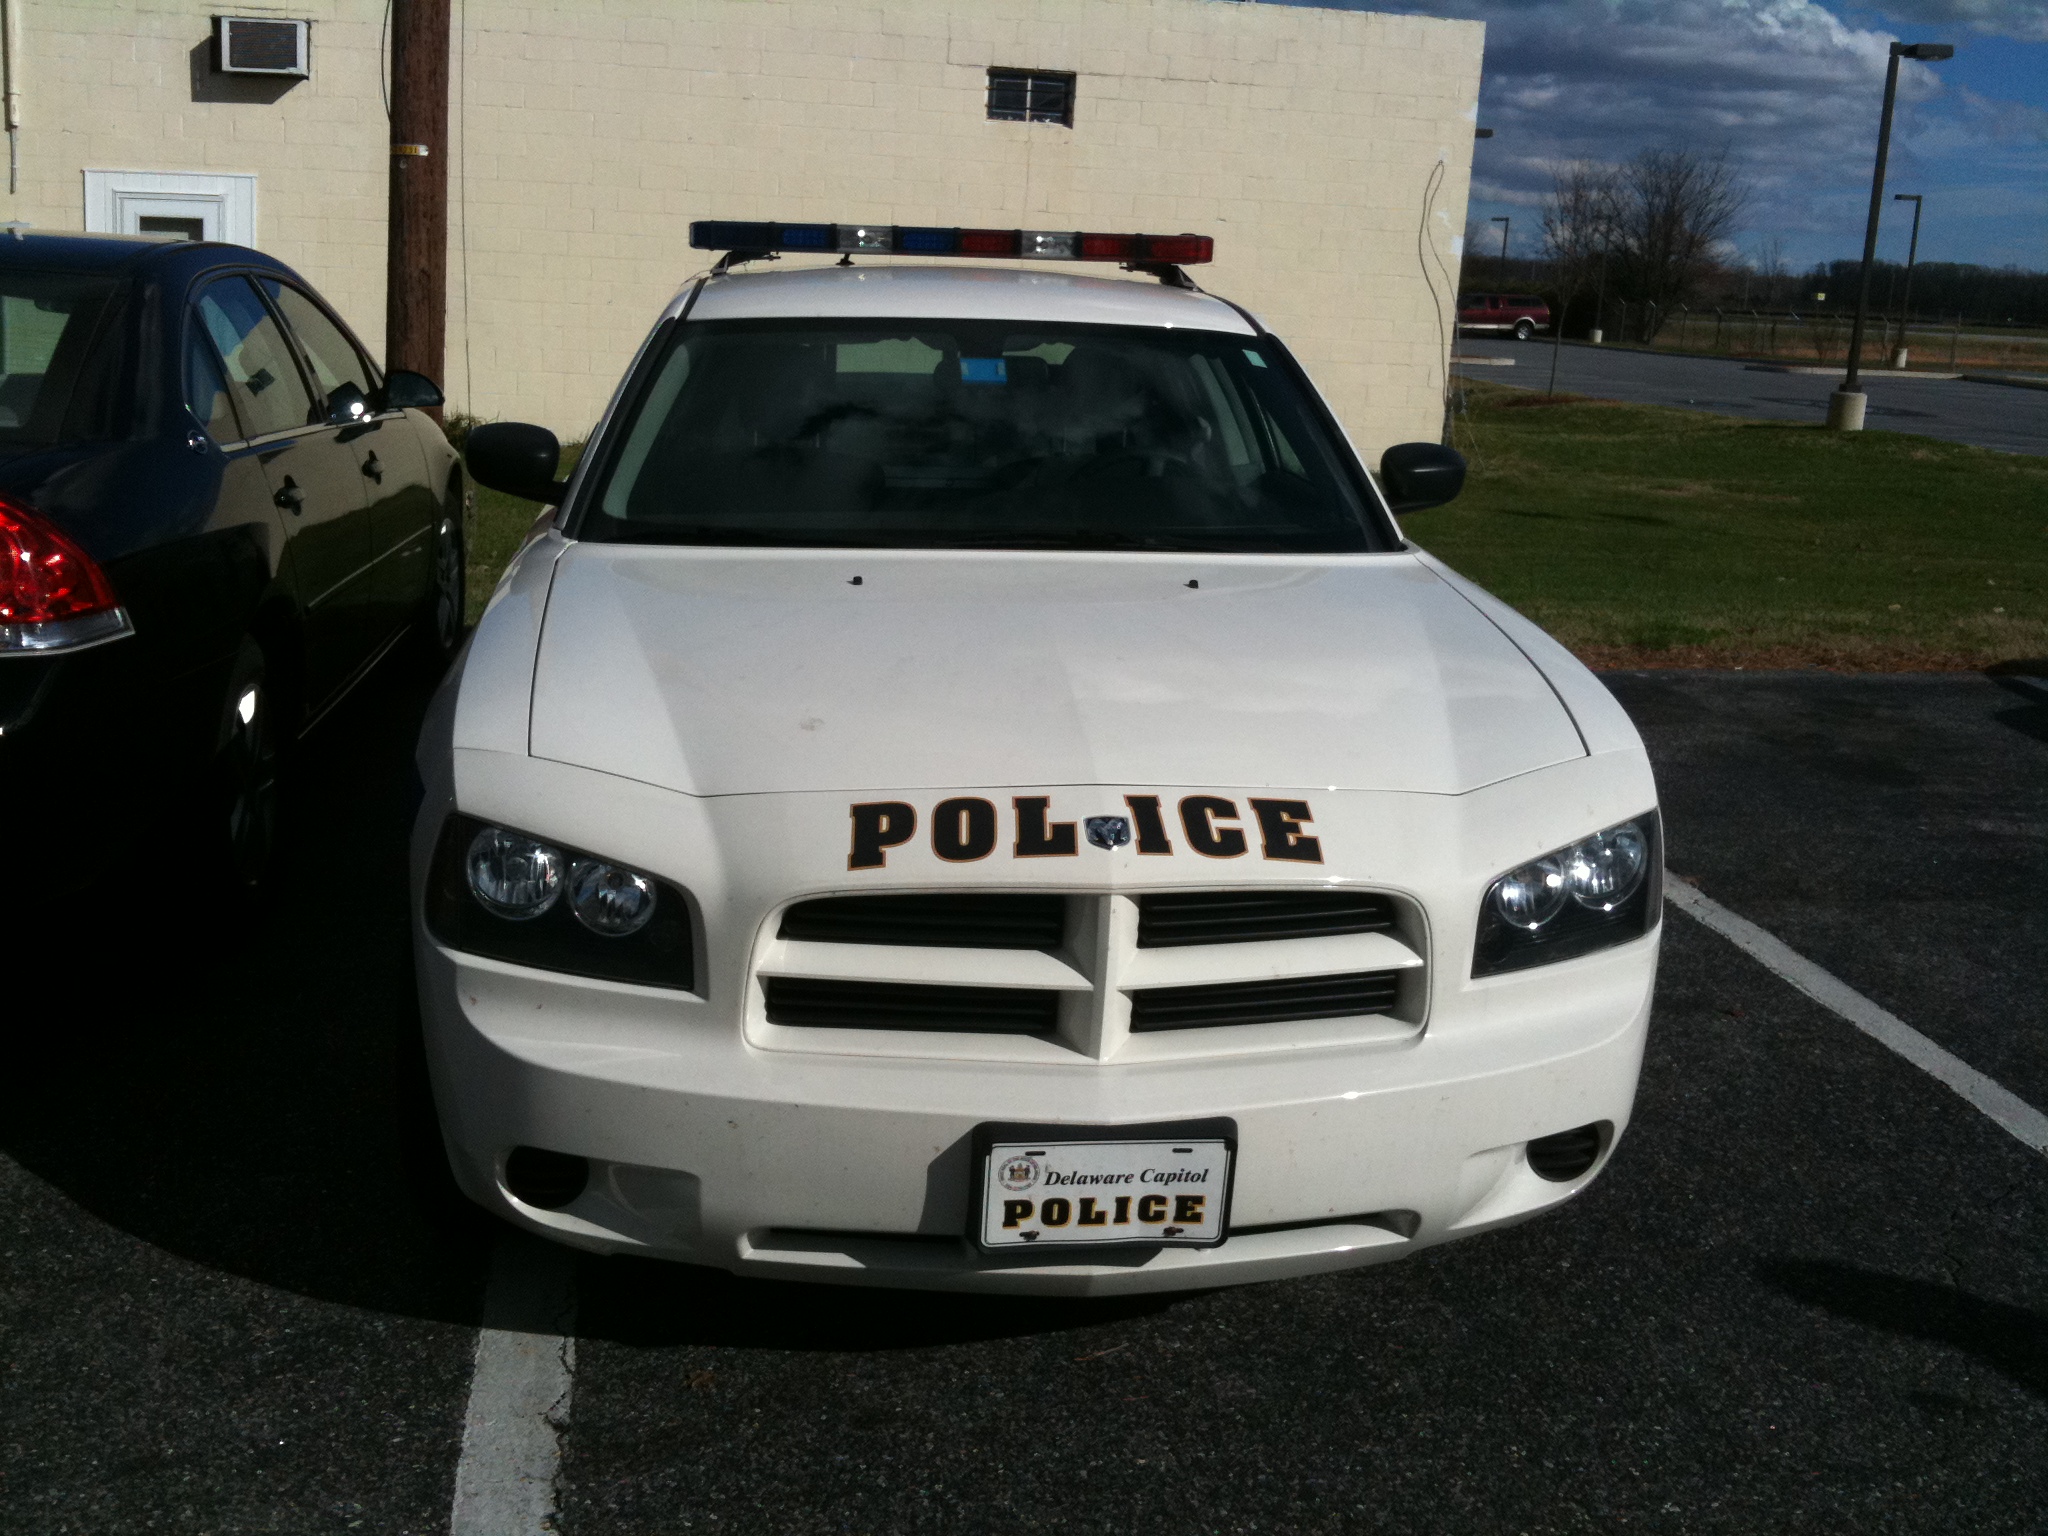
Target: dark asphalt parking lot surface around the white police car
pixel 1809 1295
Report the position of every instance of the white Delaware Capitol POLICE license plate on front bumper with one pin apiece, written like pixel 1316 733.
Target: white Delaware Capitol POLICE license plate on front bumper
pixel 1068 1187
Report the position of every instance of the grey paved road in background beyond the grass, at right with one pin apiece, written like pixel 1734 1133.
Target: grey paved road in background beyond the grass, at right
pixel 1992 417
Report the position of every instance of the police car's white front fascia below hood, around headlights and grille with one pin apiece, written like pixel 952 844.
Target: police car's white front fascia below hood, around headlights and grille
pixel 845 1154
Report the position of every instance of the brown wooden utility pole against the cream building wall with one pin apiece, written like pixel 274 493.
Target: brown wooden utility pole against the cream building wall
pixel 417 271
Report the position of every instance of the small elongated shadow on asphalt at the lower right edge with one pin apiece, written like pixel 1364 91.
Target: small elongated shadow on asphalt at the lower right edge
pixel 2012 1340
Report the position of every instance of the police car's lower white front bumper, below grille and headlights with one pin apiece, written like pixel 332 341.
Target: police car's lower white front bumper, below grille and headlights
pixel 857 1168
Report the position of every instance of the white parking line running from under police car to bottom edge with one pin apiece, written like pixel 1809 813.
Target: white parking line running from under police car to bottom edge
pixel 519 1396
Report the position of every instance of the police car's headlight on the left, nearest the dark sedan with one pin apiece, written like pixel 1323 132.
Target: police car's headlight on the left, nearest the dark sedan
pixel 517 898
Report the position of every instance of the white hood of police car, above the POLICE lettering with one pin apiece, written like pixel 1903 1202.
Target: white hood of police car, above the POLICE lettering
pixel 753 673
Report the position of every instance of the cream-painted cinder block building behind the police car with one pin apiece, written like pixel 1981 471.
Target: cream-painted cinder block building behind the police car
pixel 1326 151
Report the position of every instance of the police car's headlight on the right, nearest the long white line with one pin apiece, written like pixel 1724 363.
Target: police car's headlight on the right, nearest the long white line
pixel 1598 892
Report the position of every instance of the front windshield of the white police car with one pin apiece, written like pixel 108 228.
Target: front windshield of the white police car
pixel 957 435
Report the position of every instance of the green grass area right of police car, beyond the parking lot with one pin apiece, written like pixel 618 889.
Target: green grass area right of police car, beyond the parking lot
pixel 1644 536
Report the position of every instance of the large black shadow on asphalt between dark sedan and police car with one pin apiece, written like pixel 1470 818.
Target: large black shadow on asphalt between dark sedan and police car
pixel 220 1076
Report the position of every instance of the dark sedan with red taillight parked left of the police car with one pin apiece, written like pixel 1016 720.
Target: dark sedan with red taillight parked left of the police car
pixel 216 517
